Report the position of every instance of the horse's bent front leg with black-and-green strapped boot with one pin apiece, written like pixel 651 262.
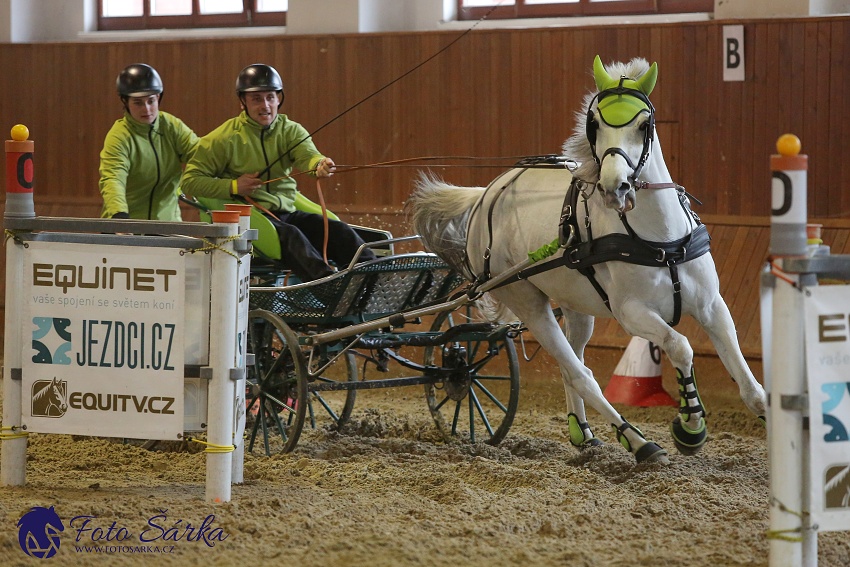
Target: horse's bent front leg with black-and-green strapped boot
pixel 688 429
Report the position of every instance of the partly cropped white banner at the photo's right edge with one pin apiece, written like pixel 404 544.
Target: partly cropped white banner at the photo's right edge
pixel 827 329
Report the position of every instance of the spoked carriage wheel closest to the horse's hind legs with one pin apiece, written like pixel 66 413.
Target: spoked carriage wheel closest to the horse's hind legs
pixel 478 402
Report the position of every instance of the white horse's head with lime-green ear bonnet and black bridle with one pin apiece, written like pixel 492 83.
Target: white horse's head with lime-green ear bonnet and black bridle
pixel 620 127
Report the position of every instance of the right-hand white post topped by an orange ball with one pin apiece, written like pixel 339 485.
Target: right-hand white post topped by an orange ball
pixel 786 388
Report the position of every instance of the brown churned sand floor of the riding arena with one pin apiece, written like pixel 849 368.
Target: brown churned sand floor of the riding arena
pixel 389 492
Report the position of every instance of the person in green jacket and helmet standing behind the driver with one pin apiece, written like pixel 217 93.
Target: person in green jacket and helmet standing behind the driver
pixel 144 152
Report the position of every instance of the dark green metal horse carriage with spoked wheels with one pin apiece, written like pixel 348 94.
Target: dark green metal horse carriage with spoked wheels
pixel 308 338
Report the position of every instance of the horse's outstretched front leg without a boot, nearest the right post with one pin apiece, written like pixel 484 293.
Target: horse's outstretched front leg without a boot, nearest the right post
pixel 718 324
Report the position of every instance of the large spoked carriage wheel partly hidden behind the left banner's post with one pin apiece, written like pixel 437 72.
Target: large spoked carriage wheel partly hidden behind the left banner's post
pixel 276 383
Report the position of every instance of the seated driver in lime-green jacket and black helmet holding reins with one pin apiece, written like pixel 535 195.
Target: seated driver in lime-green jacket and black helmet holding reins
pixel 250 158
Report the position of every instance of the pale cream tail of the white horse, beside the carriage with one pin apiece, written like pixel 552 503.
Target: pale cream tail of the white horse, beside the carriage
pixel 439 212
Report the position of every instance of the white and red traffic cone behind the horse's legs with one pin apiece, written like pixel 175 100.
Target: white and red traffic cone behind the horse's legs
pixel 637 378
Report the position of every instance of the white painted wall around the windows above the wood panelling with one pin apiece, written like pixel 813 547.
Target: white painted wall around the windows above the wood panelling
pixel 30 21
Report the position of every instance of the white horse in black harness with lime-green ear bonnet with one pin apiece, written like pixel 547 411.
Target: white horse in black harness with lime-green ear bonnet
pixel 655 268
